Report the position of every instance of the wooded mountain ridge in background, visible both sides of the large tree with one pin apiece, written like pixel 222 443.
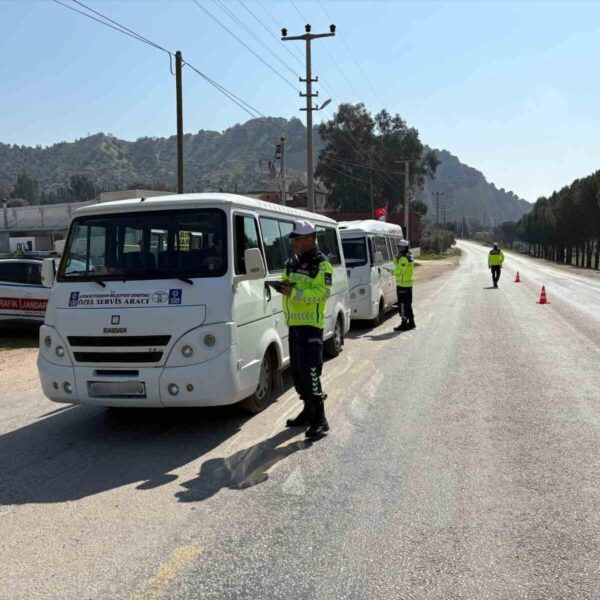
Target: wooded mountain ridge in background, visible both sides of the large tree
pixel 229 160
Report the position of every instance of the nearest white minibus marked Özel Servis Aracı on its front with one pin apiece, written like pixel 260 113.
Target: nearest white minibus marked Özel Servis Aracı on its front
pixel 162 301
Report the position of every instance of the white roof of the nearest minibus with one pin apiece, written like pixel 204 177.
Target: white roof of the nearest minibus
pixel 182 201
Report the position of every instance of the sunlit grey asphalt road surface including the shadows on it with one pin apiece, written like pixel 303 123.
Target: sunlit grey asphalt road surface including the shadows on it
pixel 463 462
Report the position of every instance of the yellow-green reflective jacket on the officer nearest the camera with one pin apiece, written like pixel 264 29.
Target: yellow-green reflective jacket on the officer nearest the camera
pixel 312 277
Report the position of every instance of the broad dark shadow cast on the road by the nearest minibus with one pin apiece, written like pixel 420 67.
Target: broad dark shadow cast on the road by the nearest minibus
pixel 82 451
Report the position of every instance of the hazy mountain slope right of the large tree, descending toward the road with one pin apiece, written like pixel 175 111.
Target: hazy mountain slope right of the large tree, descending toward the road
pixel 468 193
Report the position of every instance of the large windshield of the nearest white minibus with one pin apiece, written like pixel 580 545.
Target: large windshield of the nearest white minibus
pixel 146 245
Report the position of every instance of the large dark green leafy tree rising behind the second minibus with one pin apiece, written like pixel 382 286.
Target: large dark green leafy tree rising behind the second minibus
pixel 364 153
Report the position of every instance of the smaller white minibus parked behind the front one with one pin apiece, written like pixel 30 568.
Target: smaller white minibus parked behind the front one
pixel 369 247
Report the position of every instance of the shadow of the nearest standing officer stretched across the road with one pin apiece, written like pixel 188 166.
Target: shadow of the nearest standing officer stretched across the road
pixel 244 469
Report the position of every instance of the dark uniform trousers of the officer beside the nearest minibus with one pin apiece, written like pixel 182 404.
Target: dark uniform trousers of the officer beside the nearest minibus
pixel 306 360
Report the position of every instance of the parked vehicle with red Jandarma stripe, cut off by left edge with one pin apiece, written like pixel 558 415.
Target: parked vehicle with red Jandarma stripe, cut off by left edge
pixel 23 298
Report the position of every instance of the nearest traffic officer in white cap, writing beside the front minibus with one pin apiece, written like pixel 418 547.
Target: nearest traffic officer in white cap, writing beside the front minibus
pixel 306 287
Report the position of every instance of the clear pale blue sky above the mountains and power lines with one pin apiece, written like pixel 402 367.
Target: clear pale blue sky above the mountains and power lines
pixel 511 88
